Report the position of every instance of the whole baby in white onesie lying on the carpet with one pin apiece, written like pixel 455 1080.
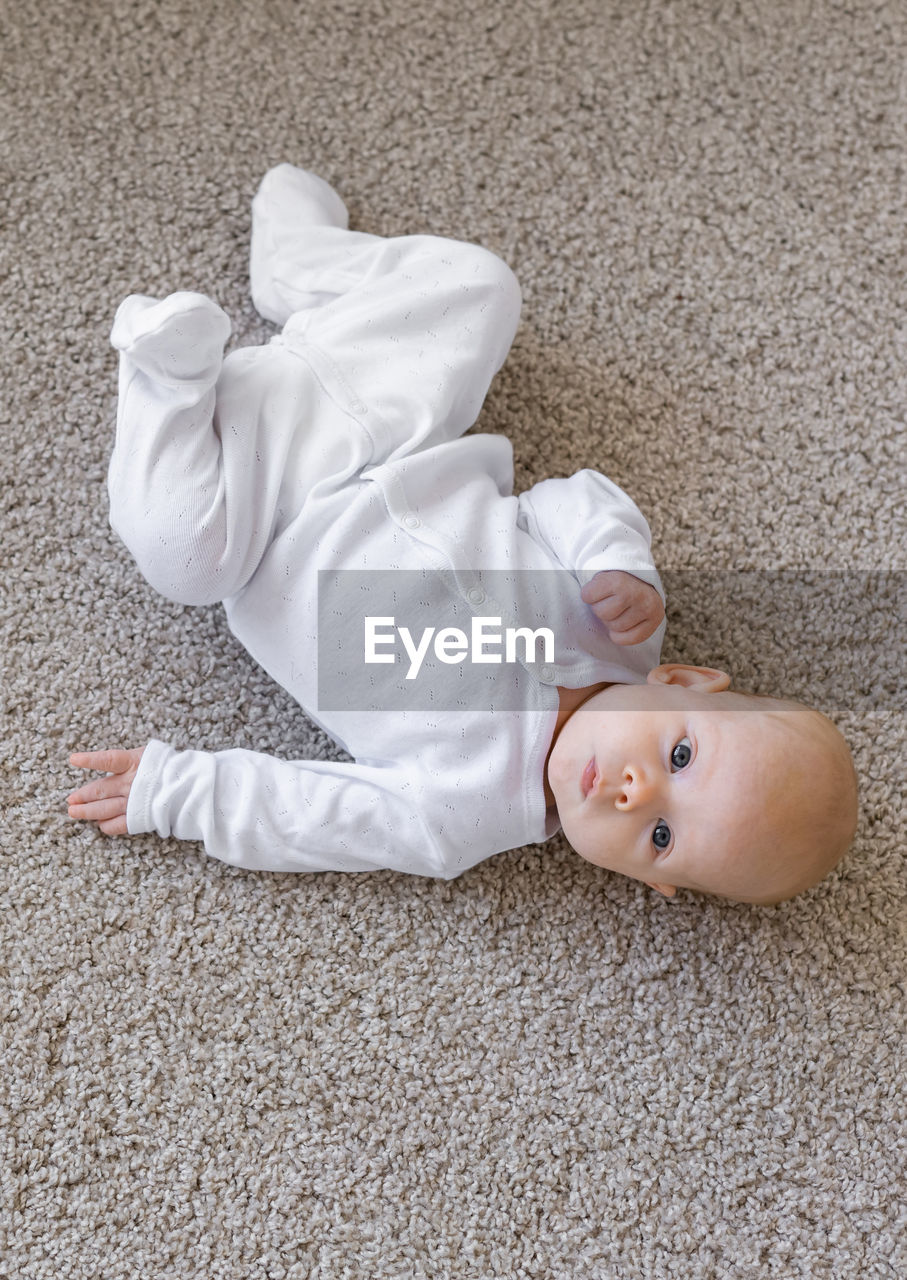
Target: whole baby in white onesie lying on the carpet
pixel 322 487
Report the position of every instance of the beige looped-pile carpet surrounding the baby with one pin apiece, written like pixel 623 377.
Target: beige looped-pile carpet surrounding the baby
pixel 539 1071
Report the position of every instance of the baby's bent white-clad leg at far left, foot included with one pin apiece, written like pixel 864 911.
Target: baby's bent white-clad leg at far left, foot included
pixel 191 509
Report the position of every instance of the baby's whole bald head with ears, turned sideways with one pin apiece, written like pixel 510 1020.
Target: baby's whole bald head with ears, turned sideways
pixel 682 783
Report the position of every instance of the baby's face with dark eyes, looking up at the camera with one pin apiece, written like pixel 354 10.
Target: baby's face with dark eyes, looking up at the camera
pixel 675 788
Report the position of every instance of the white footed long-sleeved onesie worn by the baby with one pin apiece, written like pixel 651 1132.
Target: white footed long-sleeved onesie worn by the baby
pixel 290 481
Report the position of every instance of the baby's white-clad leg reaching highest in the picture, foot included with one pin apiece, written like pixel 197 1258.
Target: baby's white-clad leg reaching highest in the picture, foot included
pixel 416 326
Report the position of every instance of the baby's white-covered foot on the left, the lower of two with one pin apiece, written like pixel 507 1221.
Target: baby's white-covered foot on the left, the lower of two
pixel 176 340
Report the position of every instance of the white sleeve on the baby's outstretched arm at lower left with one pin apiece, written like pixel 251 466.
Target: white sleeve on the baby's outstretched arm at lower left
pixel 258 812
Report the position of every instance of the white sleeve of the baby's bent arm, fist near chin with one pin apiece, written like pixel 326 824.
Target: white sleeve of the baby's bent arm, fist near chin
pixel 589 525
